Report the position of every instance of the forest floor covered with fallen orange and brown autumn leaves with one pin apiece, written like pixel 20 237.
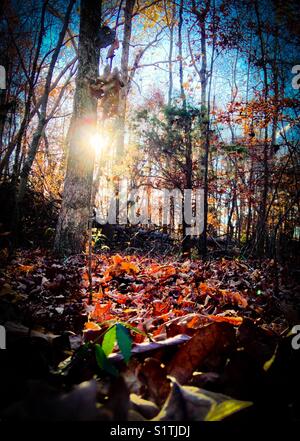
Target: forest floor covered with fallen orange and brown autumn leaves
pixel 205 339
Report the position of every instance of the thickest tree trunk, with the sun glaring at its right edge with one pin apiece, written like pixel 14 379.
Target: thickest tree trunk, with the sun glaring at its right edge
pixel 71 232
